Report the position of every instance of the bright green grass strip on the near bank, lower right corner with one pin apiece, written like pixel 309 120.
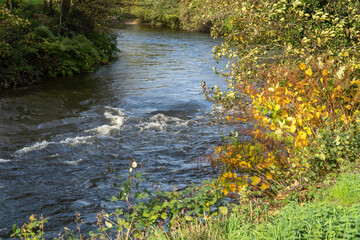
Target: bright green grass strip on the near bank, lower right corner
pixel 334 216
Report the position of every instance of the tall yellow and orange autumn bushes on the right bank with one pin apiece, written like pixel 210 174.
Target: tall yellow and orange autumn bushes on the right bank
pixel 293 76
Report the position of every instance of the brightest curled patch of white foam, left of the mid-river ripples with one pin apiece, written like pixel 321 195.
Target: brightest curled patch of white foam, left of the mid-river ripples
pixel 117 120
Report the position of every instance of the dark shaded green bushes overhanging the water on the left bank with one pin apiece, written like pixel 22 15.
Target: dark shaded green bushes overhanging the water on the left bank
pixel 35 45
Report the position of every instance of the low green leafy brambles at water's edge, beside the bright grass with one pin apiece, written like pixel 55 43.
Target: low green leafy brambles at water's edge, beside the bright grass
pixel 149 207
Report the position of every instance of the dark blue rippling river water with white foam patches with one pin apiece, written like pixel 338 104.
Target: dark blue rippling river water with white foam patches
pixel 57 137
